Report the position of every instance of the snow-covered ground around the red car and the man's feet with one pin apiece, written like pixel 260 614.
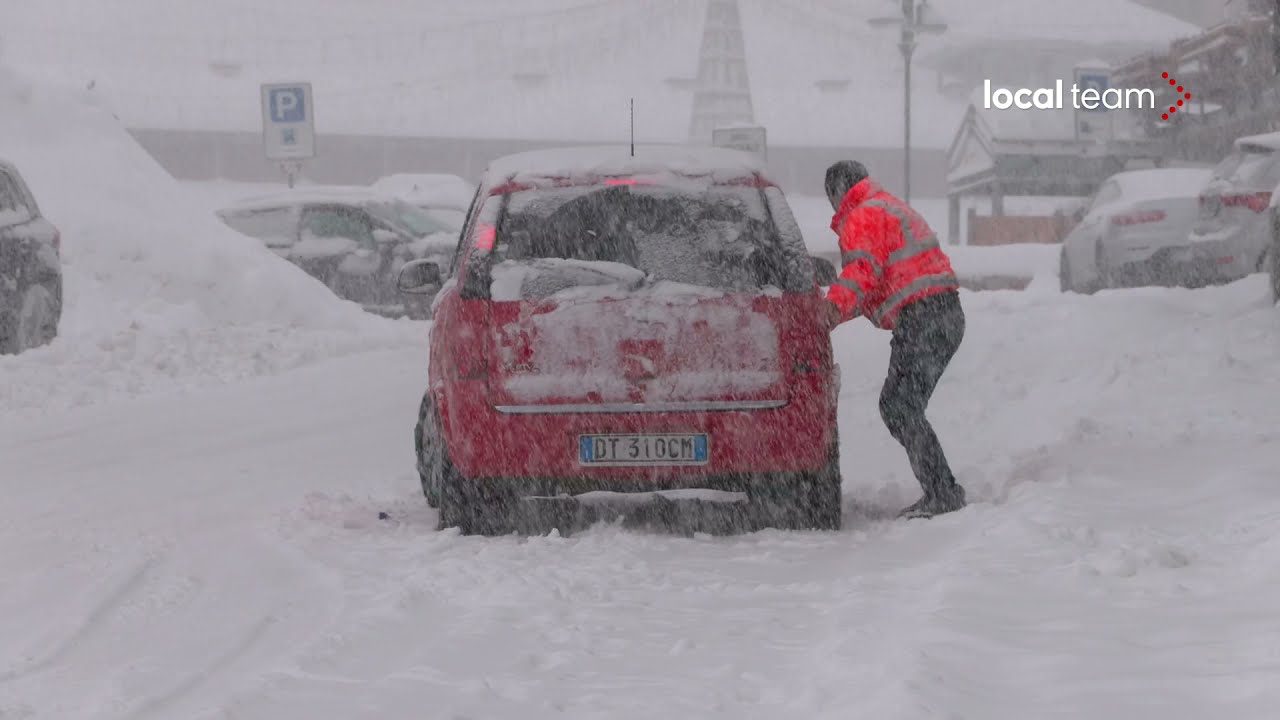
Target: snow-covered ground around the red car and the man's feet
pixel 218 555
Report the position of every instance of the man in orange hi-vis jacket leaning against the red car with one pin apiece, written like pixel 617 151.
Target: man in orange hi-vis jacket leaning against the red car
pixel 898 277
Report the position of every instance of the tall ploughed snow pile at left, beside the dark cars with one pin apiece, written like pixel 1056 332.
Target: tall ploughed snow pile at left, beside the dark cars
pixel 154 285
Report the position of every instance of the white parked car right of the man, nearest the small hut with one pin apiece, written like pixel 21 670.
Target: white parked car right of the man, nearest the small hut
pixel 1133 231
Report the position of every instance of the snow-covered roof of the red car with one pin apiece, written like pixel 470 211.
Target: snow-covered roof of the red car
pixel 618 161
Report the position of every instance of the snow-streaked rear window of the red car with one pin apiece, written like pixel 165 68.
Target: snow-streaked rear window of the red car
pixel 711 236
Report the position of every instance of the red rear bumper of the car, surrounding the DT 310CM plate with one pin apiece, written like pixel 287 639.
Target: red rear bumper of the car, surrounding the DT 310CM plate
pixel 524 443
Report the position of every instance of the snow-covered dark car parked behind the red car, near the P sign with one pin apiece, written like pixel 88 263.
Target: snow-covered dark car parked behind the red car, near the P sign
pixel 354 240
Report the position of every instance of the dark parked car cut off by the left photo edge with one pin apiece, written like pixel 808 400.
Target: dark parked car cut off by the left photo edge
pixel 31 276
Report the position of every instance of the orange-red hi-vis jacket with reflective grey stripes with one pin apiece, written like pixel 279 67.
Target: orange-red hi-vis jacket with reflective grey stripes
pixel 890 257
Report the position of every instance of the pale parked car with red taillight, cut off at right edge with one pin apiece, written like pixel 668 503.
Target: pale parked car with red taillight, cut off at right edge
pixel 1233 226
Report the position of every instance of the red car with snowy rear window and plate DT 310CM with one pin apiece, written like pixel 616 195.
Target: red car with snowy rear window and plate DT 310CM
pixel 629 325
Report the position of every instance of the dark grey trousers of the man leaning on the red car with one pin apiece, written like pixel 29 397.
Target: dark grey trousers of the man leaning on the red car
pixel 926 338
